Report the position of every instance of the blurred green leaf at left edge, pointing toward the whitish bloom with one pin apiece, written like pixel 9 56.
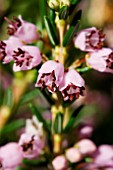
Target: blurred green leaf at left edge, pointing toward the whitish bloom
pixel 12 126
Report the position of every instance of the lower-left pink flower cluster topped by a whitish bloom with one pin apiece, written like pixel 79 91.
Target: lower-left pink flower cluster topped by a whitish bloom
pixel 30 145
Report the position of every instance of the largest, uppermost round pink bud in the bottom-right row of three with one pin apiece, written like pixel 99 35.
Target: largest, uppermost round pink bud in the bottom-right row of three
pixel 85 146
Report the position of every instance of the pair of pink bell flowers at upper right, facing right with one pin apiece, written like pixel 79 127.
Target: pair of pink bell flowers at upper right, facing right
pixel 91 40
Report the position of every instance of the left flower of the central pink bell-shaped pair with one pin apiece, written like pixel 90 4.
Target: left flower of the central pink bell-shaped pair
pixel 50 75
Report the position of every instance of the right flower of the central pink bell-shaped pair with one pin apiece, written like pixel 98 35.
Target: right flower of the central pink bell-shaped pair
pixel 72 85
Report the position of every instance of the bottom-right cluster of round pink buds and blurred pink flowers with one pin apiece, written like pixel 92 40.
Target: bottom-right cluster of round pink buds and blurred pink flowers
pixel 99 157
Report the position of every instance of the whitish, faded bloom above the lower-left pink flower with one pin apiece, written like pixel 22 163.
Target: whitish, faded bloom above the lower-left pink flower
pixel 33 126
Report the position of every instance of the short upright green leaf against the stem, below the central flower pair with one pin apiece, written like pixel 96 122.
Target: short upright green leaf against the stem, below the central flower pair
pixel 58 123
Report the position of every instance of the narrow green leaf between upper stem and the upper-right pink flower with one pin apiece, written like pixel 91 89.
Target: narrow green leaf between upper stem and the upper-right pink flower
pixel 70 34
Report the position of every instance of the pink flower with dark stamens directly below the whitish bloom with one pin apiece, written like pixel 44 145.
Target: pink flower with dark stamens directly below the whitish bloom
pixel 31 145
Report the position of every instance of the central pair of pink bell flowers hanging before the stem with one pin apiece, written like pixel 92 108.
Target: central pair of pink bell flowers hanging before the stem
pixel 53 75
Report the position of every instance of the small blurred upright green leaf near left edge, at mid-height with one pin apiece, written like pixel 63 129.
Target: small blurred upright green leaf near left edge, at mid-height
pixel 8 97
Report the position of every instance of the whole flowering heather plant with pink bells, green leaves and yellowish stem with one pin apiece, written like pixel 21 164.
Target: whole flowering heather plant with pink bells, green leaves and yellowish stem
pixel 60 78
